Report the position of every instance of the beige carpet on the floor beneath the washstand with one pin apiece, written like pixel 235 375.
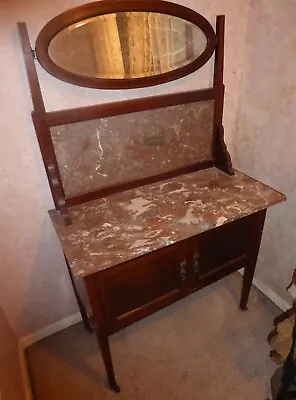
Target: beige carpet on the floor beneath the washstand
pixel 202 347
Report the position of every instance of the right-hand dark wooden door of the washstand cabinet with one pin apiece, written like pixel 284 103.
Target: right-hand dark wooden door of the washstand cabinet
pixel 220 251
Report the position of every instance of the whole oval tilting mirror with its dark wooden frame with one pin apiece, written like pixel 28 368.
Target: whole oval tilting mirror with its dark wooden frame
pixel 123 49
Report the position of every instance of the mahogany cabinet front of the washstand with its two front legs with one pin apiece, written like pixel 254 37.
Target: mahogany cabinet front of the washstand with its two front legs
pixel 131 291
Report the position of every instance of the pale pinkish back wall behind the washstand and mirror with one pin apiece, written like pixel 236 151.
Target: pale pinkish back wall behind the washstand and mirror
pixel 34 286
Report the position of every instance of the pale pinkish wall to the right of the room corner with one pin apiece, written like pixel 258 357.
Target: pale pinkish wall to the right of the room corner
pixel 265 142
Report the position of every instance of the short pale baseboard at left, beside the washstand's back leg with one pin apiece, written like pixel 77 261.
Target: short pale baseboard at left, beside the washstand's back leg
pixel 49 330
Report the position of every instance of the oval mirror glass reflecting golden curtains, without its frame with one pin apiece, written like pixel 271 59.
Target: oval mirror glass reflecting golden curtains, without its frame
pixel 127 45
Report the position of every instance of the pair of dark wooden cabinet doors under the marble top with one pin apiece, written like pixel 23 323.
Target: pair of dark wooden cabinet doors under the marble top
pixel 135 289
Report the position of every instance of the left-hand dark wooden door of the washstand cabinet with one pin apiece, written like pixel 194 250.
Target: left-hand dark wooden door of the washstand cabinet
pixel 148 283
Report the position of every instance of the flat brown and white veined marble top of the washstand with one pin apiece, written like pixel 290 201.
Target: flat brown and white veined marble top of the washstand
pixel 123 226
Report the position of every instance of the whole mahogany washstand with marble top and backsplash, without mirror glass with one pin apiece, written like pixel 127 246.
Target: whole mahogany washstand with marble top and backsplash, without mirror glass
pixel 148 206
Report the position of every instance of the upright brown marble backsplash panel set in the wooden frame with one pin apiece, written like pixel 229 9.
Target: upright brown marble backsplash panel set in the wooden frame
pixel 122 148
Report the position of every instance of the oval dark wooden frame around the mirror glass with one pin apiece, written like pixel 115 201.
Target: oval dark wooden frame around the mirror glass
pixel 103 7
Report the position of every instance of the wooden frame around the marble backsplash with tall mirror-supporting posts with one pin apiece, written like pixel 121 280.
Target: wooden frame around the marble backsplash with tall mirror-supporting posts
pixel 44 120
